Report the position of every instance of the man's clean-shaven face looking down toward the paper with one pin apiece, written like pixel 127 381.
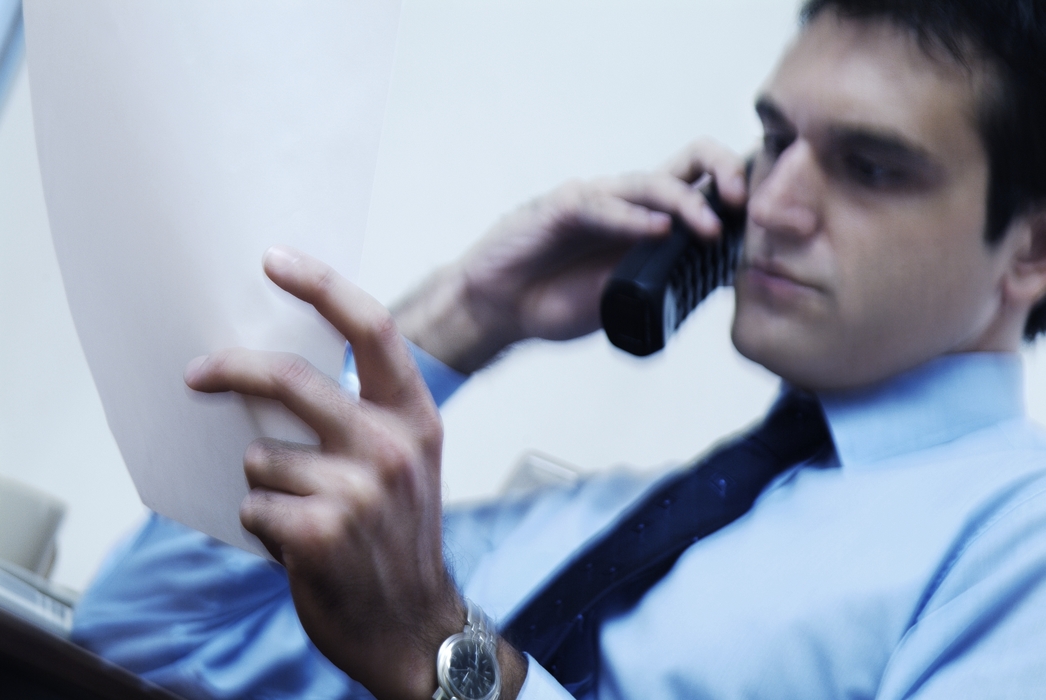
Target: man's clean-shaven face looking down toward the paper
pixel 866 253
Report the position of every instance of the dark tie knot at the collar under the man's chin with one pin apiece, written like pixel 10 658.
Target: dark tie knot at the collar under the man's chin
pixel 795 430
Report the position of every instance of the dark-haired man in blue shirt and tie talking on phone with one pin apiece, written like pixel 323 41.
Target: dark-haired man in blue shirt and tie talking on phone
pixel 895 258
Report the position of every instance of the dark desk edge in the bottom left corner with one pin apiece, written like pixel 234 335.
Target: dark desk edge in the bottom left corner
pixel 39 666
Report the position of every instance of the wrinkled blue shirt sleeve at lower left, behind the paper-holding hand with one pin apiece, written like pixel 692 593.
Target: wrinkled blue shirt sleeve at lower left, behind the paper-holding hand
pixel 204 620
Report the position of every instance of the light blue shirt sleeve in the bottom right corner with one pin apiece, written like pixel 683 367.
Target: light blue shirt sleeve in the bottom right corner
pixel 983 630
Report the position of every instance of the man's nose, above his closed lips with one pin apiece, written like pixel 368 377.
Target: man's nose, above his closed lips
pixel 786 202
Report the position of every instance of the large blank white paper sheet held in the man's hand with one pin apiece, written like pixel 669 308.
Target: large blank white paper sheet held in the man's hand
pixel 178 141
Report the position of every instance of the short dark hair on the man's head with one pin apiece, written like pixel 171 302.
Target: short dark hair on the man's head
pixel 1007 38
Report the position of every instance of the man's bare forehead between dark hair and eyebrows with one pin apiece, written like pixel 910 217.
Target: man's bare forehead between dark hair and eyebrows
pixel 872 76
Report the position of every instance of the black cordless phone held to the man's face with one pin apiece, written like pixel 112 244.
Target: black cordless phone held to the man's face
pixel 660 283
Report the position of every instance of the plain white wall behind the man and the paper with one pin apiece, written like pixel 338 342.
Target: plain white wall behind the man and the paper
pixel 492 104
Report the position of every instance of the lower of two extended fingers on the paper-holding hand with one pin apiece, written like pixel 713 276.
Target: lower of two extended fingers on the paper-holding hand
pixel 290 379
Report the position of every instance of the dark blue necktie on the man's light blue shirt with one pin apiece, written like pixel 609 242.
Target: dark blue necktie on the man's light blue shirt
pixel 559 626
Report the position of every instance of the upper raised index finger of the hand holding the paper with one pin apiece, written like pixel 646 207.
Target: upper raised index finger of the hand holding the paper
pixel 386 369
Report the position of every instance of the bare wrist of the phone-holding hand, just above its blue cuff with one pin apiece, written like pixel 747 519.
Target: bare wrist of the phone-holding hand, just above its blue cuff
pixel 453 324
